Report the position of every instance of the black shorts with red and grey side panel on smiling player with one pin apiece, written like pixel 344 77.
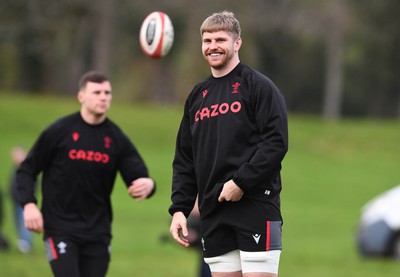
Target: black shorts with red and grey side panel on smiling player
pixel 243 225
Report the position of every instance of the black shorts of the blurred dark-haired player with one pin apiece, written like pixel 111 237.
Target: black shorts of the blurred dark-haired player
pixel 71 256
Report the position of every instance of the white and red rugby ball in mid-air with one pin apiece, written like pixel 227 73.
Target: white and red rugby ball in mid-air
pixel 156 35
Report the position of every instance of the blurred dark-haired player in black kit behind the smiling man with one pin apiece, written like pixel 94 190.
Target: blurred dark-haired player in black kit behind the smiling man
pixel 79 156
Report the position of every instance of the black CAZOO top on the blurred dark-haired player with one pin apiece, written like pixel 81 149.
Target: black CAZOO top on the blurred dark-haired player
pixel 79 162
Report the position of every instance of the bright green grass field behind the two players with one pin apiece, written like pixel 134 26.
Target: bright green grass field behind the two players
pixel 331 170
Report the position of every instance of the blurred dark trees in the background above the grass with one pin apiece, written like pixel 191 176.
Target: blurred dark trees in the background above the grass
pixel 331 57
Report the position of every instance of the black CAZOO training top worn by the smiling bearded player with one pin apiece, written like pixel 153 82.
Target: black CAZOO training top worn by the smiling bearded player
pixel 233 127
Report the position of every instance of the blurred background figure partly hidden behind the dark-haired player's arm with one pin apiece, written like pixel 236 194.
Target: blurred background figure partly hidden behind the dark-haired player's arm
pixel 24 242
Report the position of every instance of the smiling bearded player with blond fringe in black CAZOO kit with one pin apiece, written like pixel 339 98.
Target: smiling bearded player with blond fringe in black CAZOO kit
pixel 230 145
